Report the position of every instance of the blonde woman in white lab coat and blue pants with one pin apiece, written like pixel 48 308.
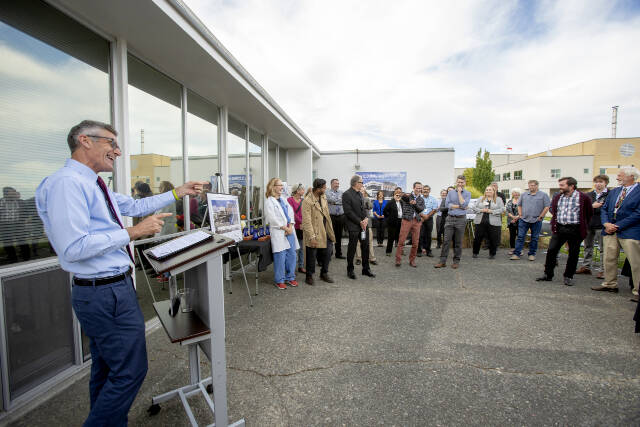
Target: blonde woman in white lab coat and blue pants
pixel 284 244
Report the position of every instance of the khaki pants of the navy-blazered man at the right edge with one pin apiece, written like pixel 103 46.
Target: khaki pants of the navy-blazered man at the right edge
pixel 612 244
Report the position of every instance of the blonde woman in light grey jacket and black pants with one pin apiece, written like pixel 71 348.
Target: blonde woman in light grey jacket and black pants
pixel 488 221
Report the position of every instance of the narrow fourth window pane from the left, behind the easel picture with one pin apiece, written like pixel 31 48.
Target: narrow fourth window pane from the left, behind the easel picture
pixel 237 149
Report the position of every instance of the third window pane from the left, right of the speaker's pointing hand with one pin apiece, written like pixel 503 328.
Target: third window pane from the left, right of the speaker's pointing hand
pixel 202 143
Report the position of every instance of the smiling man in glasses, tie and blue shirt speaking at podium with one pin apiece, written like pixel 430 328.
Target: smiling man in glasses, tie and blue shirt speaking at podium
pixel 83 220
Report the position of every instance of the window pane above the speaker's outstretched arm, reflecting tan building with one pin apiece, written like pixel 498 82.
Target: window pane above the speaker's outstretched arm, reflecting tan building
pixel 155 129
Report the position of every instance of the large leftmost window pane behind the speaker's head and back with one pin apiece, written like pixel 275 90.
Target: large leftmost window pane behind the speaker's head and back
pixel 53 74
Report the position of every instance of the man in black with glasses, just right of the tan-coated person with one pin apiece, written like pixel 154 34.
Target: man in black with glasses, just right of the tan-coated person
pixel 356 221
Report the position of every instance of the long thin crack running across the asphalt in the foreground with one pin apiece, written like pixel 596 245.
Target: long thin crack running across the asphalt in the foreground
pixel 499 370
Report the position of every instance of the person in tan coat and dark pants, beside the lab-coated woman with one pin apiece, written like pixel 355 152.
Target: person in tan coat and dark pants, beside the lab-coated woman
pixel 318 231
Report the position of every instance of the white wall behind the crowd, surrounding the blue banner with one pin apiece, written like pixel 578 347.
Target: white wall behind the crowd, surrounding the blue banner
pixel 432 167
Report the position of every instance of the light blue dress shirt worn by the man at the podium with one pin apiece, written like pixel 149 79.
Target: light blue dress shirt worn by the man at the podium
pixel 88 242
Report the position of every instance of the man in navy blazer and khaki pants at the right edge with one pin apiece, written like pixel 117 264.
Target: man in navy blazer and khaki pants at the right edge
pixel 620 217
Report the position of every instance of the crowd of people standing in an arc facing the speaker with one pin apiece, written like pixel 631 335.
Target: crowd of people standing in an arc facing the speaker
pixel 307 230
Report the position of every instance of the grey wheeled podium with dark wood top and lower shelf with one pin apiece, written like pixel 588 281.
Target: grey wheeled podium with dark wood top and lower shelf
pixel 203 327
